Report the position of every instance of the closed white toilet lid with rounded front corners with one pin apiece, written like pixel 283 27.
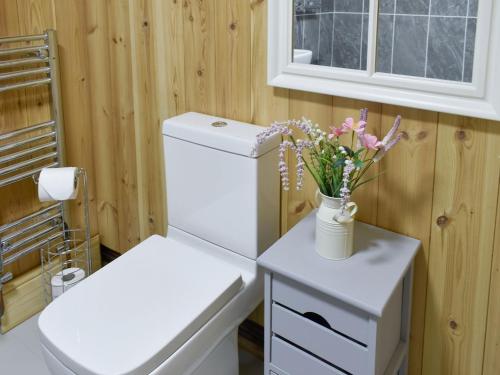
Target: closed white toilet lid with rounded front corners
pixel 133 314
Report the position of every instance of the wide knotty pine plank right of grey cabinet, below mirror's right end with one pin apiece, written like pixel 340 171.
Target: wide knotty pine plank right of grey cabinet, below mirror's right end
pixel 464 208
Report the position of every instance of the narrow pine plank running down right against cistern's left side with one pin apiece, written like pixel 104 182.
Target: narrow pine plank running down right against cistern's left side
pixel 148 125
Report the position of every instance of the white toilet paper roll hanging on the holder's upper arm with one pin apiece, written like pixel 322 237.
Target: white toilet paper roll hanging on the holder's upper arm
pixel 57 184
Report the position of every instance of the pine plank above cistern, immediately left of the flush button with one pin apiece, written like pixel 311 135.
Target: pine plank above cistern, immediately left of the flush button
pixel 199 58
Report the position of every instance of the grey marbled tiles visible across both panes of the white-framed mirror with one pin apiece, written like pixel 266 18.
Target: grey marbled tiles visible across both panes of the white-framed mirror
pixel 419 38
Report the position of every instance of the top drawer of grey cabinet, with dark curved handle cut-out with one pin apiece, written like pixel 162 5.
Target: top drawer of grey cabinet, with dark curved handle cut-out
pixel 341 317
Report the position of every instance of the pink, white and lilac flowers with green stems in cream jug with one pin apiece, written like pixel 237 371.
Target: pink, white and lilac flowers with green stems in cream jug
pixel 338 169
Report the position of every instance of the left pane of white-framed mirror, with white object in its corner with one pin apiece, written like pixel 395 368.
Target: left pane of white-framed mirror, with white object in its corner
pixel 331 33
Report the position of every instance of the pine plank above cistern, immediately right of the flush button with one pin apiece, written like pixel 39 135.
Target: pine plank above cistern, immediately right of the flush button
pixel 233 56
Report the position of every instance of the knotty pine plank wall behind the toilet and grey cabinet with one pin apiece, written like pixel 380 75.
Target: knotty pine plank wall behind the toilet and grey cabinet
pixel 129 64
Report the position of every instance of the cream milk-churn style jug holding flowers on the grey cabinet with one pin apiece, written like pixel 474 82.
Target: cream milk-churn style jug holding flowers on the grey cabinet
pixel 334 231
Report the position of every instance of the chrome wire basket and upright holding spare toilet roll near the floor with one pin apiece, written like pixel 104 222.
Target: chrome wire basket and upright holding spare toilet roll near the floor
pixel 66 257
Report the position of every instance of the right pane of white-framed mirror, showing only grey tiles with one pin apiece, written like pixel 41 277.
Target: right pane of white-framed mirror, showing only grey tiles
pixel 423 38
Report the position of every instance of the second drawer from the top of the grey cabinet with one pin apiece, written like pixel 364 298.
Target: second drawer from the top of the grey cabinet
pixel 319 340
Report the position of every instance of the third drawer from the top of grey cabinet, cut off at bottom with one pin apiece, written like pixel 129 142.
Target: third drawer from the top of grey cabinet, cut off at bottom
pixel 294 361
